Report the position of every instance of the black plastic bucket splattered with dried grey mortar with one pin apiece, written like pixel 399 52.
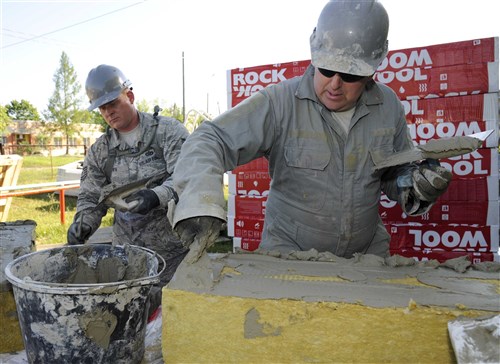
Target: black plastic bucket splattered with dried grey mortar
pixel 84 303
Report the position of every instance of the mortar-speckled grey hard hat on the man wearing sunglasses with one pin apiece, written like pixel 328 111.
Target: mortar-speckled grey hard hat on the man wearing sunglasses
pixel 350 37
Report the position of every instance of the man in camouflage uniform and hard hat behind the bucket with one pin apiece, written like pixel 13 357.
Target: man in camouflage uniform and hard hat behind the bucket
pixel 136 146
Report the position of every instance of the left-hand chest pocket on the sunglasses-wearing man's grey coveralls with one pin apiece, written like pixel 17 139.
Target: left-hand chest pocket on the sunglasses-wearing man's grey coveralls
pixel 306 176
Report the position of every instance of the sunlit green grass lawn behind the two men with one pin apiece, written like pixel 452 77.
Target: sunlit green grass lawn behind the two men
pixel 44 208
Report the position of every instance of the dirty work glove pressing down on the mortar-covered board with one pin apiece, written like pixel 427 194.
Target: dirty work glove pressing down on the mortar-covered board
pixel 205 229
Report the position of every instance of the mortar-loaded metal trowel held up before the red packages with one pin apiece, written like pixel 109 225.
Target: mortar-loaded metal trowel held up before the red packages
pixel 436 149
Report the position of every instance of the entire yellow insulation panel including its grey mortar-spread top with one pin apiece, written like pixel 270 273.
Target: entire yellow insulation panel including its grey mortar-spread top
pixel 254 308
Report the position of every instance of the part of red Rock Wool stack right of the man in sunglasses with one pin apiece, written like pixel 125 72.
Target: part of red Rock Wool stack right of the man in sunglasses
pixel 449 90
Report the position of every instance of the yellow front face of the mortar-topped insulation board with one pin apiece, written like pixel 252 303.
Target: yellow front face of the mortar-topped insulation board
pixel 201 328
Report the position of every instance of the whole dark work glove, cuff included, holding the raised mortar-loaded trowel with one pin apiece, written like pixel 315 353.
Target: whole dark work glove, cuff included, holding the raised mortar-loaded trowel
pixel 421 187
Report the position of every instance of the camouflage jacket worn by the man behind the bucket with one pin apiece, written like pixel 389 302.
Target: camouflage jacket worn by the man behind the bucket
pixel 167 136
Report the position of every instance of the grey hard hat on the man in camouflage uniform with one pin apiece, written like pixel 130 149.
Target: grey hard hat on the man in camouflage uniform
pixel 104 84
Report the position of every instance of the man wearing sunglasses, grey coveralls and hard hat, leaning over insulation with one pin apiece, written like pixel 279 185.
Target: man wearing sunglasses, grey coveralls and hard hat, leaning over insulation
pixel 322 134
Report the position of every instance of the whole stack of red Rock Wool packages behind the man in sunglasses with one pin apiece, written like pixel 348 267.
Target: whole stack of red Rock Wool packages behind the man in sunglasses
pixel 447 90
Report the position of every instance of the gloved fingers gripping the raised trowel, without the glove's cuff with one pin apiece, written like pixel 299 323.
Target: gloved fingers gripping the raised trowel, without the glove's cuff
pixel 430 181
